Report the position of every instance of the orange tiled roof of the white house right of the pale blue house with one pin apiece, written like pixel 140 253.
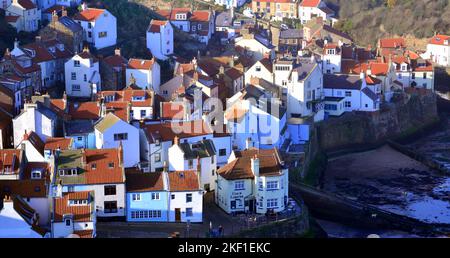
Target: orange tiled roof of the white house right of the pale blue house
pixel 183 181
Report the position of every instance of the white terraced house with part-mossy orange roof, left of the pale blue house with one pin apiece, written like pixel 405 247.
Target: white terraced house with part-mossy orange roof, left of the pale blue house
pixel 100 171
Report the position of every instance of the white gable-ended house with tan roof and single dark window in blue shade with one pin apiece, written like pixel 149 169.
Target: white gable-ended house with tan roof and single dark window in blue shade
pixel 111 131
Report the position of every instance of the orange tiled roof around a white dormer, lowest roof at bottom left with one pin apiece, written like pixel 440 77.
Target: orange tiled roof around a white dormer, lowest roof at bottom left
pixel 81 213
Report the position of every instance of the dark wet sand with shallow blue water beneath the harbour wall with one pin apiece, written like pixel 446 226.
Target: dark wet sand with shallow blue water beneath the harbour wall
pixel 392 181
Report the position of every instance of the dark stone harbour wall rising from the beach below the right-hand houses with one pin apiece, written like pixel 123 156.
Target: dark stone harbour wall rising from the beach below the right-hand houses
pixel 363 130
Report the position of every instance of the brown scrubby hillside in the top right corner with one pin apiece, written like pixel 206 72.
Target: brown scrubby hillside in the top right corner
pixel 368 20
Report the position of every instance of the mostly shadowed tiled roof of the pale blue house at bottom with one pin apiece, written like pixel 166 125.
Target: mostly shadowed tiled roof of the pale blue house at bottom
pixel 138 181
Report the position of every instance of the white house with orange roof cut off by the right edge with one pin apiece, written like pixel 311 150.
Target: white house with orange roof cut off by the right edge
pixel 438 50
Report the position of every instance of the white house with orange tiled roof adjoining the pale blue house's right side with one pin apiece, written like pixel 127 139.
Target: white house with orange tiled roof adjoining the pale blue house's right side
pixel 186 197
